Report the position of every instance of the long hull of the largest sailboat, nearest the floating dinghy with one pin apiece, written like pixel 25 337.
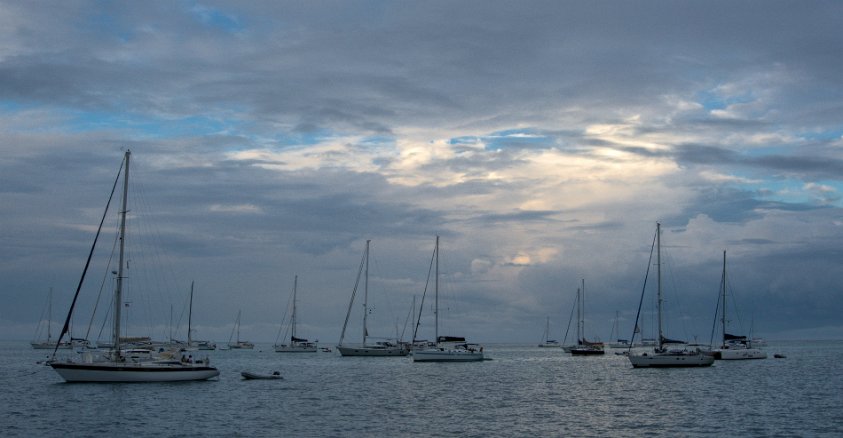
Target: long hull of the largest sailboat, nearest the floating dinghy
pixel 121 372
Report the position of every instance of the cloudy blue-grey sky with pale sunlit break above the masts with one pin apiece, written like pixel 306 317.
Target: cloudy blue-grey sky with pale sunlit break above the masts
pixel 541 141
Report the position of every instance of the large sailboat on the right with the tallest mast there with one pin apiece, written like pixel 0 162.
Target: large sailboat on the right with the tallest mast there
pixel 661 356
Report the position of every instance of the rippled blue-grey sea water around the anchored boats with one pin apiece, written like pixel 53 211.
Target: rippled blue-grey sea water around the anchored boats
pixel 523 391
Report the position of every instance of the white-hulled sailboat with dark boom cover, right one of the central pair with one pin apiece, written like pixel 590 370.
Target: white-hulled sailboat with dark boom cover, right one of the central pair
pixel 447 348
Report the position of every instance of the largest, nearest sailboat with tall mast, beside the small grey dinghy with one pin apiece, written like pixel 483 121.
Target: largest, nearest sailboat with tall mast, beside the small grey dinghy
pixel 118 365
